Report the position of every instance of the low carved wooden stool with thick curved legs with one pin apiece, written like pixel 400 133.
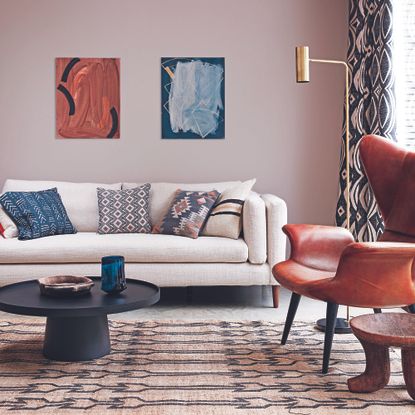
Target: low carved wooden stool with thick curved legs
pixel 376 333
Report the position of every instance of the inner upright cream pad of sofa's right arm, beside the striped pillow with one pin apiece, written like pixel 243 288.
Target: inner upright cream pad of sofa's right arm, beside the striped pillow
pixel 255 228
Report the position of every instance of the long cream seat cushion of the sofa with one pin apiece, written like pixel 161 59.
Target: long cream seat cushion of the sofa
pixel 86 247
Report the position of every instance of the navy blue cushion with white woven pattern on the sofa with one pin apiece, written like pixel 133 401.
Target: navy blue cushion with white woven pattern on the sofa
pixel 37 214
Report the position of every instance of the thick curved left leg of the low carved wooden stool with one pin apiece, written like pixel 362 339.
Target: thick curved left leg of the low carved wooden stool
pixel 377 372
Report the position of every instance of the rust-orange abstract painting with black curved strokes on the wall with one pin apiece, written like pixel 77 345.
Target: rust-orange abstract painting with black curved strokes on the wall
pixel 87 98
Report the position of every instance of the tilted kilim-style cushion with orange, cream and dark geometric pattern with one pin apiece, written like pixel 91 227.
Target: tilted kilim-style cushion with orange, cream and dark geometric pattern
pixel 187 213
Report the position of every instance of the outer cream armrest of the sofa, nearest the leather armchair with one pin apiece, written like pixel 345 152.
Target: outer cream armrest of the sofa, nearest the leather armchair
pixel 276 210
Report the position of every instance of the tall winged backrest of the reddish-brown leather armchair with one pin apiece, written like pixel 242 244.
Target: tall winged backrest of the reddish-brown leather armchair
pixel 390 170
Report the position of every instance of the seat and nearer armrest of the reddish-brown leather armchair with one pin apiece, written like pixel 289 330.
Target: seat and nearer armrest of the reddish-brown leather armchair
pixel 371 275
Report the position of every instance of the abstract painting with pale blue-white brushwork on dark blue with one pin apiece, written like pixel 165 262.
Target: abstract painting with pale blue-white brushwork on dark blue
pixel 193 98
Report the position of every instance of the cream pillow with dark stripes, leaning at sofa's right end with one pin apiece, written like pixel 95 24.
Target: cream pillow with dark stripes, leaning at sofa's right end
pixel 225 219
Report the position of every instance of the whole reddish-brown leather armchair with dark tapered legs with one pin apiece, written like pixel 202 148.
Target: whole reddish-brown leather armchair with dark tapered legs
pixel 326 264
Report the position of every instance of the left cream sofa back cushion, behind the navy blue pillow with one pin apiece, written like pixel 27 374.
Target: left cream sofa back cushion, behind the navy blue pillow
pixel 80 199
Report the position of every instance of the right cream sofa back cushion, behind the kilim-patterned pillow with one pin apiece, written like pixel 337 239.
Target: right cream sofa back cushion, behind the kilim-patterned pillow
pixel 162 194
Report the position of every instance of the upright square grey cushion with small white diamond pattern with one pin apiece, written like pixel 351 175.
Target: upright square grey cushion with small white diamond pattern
pixel 124 211
